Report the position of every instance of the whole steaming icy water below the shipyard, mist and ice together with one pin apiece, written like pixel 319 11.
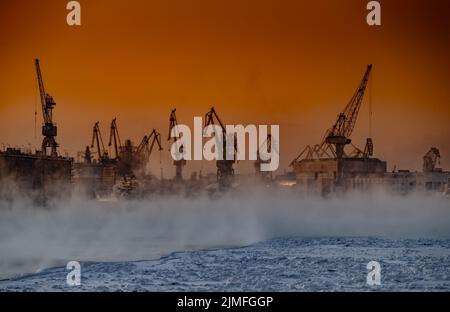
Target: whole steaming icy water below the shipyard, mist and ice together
pixel 251 243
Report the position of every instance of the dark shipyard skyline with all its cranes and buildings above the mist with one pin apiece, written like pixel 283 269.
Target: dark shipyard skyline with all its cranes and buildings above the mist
pixel 333 166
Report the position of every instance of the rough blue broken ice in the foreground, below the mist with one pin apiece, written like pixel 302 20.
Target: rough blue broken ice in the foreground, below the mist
pixel 284 264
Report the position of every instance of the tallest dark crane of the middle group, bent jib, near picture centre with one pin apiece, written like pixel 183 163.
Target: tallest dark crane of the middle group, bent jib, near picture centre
pixel 225 171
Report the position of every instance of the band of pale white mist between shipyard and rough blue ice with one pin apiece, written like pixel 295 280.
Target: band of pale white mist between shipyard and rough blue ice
pixel 33 238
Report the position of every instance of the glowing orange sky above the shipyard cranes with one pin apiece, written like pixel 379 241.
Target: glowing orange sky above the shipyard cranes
pixel 293 63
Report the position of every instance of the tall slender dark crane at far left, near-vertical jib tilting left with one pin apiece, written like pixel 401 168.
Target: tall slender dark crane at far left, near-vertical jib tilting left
pixel 49 129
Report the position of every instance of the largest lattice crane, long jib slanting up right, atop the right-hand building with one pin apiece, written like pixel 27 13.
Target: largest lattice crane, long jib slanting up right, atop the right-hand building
pixel 338 136
